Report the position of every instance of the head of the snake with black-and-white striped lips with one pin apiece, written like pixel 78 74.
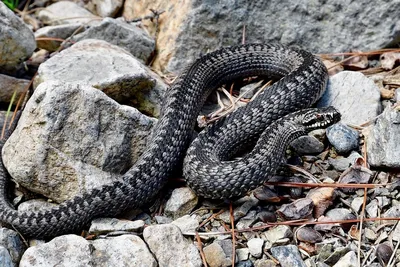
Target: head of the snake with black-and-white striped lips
pixel 317 118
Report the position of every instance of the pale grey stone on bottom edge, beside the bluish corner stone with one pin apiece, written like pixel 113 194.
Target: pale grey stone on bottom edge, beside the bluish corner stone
pixel 66 250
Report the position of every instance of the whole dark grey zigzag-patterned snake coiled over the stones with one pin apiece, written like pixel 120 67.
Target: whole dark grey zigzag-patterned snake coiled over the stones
pixel 269 123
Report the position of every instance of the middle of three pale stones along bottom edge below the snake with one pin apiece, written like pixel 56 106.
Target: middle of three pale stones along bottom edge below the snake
pixel 125 250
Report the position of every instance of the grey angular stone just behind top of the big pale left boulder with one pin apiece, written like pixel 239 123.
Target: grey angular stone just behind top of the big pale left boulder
pixel 127 36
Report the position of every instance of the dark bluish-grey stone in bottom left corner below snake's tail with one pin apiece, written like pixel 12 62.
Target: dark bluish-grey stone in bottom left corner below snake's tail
pixel 13 244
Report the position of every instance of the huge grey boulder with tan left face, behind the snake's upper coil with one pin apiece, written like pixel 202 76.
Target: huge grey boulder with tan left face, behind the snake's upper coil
pixel 196 26
